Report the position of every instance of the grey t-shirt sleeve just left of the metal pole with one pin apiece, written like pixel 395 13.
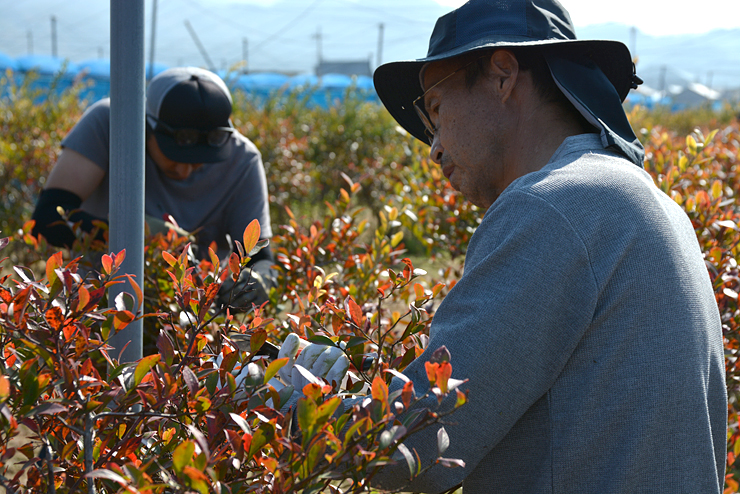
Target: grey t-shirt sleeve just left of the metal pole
pixel 91 135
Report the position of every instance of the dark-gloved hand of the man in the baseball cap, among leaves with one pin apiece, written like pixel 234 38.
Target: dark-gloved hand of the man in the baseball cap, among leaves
pixel 252 287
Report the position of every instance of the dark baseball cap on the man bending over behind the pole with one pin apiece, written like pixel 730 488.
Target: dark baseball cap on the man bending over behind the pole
pixel 188 109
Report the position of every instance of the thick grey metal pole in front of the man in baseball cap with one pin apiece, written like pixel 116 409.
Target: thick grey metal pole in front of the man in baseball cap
pixel 127 148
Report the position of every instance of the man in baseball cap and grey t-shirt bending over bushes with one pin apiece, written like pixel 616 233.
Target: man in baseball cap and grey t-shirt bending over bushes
pixel 199 171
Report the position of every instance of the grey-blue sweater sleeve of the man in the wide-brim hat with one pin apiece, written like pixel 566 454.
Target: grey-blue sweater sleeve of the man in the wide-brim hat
pixel 510 324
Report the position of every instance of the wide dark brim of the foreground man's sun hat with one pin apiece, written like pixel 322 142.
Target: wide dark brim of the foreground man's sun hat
pixel 397 83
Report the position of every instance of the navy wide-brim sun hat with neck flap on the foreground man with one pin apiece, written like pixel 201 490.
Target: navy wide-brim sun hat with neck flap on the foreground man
pixel 595 75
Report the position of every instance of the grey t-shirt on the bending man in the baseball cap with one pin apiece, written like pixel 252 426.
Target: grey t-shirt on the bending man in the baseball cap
pixel 216 199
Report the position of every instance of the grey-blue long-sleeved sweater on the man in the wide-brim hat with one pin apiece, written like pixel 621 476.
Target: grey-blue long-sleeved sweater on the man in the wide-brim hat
pixel 587 326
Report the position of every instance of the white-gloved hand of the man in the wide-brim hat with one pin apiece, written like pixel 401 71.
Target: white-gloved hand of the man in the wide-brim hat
pixel 327 362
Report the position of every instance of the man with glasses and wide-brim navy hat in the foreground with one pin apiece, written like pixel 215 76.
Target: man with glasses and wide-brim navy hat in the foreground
pixel 585 321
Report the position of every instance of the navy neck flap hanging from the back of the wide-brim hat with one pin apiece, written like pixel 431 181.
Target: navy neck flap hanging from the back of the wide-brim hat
pixel 594 96
